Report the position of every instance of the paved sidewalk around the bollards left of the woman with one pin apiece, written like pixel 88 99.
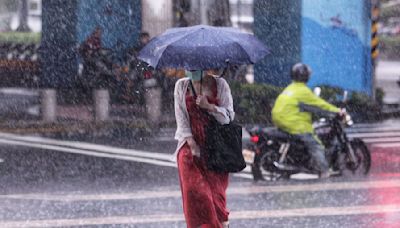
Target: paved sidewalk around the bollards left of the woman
pixel 77 121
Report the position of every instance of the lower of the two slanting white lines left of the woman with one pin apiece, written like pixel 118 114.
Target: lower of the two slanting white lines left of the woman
pixel 90 153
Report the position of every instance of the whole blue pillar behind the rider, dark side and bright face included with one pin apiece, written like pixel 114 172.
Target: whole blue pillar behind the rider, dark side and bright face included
pixel 332 36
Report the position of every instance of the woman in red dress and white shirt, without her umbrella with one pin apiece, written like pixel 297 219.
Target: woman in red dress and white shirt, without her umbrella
pixel 203 191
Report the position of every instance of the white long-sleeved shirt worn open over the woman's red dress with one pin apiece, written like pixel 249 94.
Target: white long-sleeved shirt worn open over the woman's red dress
pixel 224 114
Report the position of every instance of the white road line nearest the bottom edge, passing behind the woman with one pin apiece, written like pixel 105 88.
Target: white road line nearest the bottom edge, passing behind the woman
pixel 234 215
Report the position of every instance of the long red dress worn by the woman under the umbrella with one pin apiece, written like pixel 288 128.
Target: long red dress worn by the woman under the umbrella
pixel 203 191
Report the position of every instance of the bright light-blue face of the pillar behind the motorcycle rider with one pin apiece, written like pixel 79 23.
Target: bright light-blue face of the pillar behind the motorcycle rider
pixel 336 43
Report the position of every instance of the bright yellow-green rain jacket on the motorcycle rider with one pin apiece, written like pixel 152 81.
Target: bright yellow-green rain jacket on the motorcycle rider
pixel 286 113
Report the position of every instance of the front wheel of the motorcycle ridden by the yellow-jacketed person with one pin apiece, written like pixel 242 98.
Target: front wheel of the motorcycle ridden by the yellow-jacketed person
pixel 362 164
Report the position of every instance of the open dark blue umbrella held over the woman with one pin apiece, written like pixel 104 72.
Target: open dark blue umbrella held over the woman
pixel 202 47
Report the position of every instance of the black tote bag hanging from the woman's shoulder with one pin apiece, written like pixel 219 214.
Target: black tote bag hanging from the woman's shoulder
pixel 223 145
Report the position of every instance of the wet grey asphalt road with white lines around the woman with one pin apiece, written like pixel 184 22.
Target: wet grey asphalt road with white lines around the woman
pixel 56 184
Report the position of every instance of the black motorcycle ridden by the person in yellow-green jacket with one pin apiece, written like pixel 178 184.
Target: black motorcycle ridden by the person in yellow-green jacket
pixel 276 154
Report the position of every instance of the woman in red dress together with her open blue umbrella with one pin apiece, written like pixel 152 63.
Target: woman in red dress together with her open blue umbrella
pixel 197 49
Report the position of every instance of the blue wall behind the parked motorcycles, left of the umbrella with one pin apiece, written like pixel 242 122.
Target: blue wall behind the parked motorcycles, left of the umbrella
pixel 66 23
